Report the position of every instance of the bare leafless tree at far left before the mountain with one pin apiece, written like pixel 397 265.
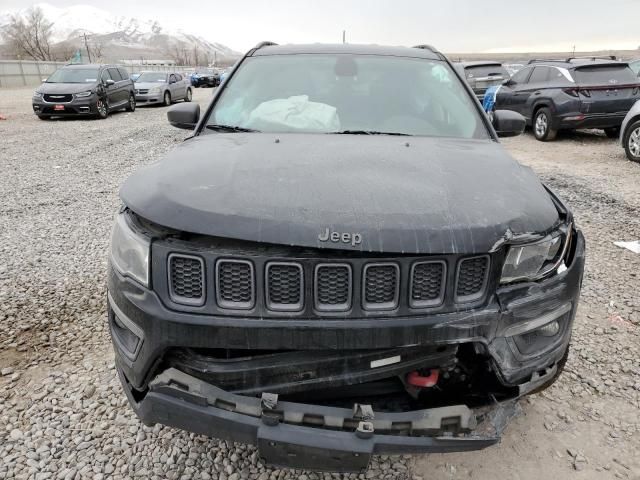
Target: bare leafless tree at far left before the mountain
pixel 30 34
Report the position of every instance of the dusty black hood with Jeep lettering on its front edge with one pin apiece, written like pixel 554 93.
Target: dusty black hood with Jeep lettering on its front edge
pixel 402 195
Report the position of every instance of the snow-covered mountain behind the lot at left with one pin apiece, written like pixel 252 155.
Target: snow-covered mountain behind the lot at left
pixel 122 38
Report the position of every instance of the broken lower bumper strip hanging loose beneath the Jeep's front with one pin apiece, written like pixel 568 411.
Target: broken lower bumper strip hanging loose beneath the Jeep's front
pixel 314 437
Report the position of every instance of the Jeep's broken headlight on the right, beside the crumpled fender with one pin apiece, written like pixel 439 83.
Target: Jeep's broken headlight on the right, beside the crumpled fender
pixel 534 261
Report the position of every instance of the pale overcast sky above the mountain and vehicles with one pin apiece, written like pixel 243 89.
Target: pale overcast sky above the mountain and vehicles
pixel 450 25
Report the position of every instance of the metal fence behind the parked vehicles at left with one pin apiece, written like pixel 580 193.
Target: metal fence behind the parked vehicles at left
pixel 23 73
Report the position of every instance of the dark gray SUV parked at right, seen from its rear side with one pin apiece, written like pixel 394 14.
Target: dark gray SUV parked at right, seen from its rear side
pixel 570 94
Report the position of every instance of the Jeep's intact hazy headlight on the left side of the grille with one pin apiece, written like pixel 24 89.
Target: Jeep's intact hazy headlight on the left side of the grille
pixel 130 251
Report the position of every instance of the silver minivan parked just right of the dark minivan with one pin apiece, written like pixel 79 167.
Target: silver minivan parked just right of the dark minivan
pixel 162 87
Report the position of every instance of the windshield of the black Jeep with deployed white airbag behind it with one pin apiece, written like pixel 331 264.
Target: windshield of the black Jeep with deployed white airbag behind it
pixel 341 93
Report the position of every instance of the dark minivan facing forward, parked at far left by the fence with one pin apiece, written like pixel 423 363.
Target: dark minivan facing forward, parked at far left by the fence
pixel 84 90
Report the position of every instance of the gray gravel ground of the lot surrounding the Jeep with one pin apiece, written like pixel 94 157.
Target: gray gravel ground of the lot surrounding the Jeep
pixel 62 411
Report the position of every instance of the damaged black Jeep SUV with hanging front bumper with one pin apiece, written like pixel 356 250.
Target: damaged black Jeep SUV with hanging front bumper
pixel 342 263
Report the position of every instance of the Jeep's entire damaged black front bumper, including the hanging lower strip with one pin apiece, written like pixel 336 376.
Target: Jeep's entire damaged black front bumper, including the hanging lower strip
pixel 169 380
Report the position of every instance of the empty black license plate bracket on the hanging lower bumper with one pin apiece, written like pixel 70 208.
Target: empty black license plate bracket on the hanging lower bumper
pixel 316 449
